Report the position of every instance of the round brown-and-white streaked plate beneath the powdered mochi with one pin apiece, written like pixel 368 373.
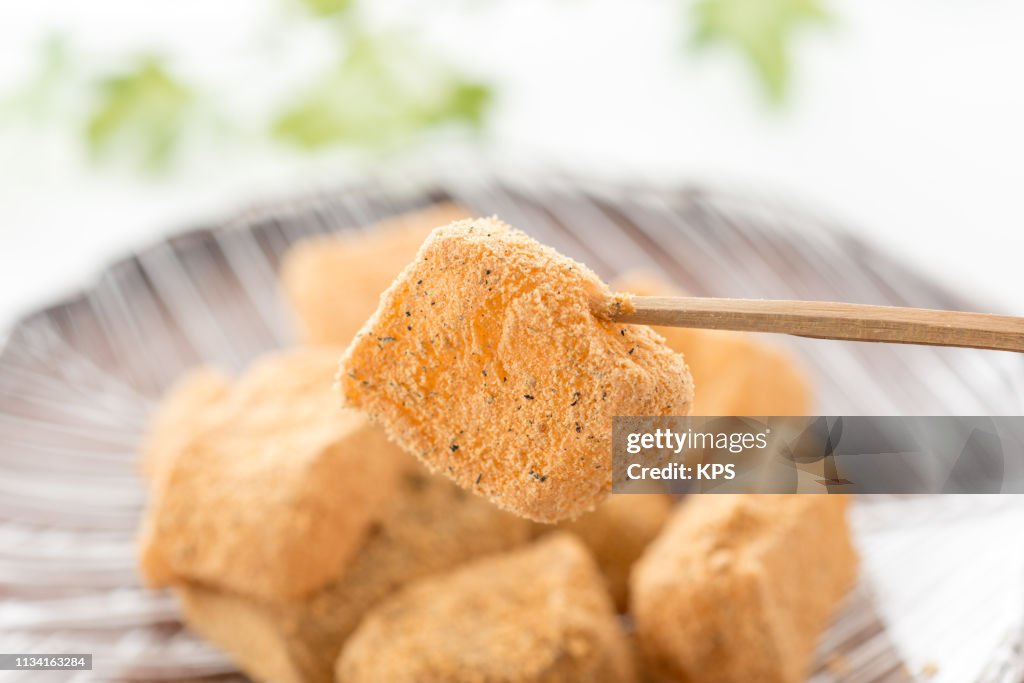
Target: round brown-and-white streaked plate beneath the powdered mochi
pixel 79 378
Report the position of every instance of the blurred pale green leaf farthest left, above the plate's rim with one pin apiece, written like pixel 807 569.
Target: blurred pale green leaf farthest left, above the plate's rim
pixel 141 113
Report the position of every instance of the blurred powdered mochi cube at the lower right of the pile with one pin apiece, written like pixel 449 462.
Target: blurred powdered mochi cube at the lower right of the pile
pixel 738 588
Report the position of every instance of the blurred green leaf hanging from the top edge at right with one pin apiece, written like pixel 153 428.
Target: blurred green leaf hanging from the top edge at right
pixel 761 30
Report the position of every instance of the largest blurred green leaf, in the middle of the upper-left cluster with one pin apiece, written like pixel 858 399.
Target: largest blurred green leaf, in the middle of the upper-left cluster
pixel 383 92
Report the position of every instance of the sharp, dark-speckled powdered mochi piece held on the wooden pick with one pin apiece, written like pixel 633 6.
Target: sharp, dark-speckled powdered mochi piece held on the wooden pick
pixel 486 361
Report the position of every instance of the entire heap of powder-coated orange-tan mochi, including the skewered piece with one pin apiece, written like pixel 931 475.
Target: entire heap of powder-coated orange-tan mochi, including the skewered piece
pixel 420 491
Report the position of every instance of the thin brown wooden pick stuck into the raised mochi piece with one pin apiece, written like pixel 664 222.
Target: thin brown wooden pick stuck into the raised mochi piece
pixel 830 320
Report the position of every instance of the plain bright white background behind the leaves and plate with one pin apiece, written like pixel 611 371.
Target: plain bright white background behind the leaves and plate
pixel 906 122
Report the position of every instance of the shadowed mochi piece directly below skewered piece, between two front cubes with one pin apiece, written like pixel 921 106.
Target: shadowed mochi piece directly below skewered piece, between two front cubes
pixel 617 534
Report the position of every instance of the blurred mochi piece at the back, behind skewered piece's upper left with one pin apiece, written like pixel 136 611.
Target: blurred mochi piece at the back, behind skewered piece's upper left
pixel 333 282
